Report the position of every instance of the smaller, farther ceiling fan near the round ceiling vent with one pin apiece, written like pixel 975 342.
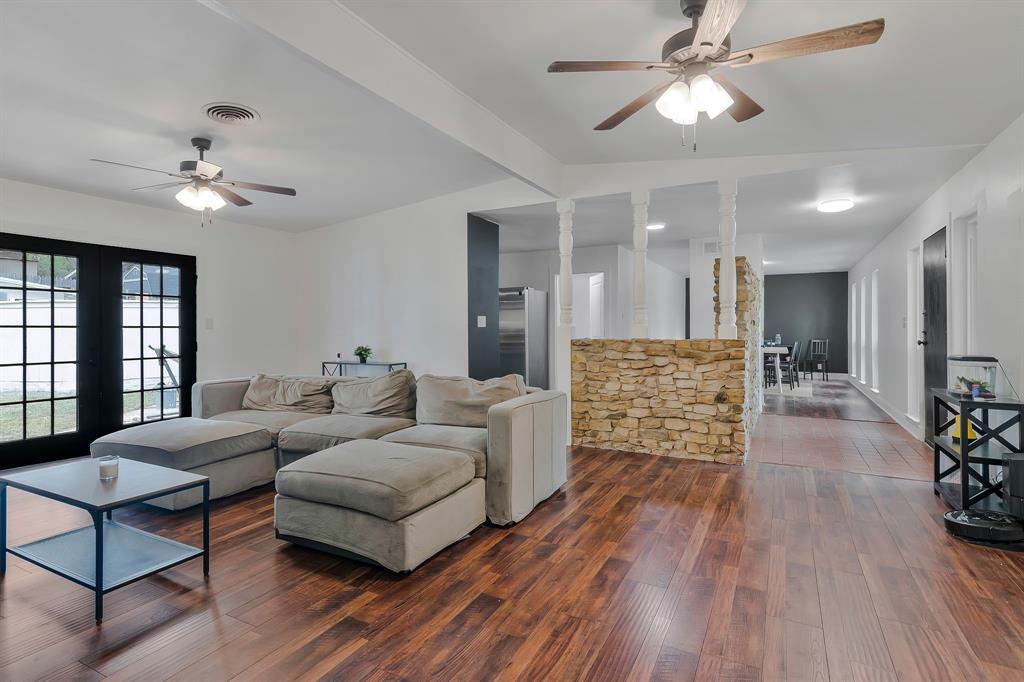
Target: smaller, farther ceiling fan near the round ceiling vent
pixel 204 187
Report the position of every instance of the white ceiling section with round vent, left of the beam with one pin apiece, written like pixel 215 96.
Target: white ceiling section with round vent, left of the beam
pixel 126 81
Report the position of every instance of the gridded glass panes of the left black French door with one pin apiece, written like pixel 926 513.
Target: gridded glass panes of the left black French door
pixel 38 345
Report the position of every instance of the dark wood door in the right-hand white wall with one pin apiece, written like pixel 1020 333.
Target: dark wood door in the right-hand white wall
pixel 934 338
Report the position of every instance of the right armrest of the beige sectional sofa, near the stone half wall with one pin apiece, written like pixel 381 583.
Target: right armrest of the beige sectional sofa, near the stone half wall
pixel 526 454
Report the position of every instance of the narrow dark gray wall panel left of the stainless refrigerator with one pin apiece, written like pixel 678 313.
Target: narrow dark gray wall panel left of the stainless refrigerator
pixel 483 259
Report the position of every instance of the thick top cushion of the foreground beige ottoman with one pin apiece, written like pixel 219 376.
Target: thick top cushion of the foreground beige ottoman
pixel 387 480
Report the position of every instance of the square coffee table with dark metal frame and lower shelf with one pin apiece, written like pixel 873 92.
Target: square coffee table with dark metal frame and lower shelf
pixel 106 556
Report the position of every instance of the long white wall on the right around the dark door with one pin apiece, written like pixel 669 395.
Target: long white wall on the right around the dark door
pixel 993 185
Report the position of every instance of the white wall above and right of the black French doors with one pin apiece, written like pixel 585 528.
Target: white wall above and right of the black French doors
pixel 246 274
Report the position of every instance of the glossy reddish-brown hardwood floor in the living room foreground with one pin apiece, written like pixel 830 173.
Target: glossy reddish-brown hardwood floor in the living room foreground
pixel 641 569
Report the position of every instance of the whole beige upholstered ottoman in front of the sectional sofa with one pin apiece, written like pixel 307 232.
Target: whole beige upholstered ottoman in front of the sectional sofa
pixel 390 504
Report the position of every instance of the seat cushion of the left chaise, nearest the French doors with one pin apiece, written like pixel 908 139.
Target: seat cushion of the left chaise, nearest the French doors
pixel 184 444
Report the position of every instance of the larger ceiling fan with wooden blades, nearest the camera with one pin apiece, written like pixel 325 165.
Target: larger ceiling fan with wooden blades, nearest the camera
pixel 691 56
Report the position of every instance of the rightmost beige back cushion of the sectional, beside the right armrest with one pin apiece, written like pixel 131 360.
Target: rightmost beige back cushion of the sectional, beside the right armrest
pixel 461 401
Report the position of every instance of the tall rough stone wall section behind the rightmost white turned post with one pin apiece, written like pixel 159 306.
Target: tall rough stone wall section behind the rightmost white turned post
pixel 749 325
